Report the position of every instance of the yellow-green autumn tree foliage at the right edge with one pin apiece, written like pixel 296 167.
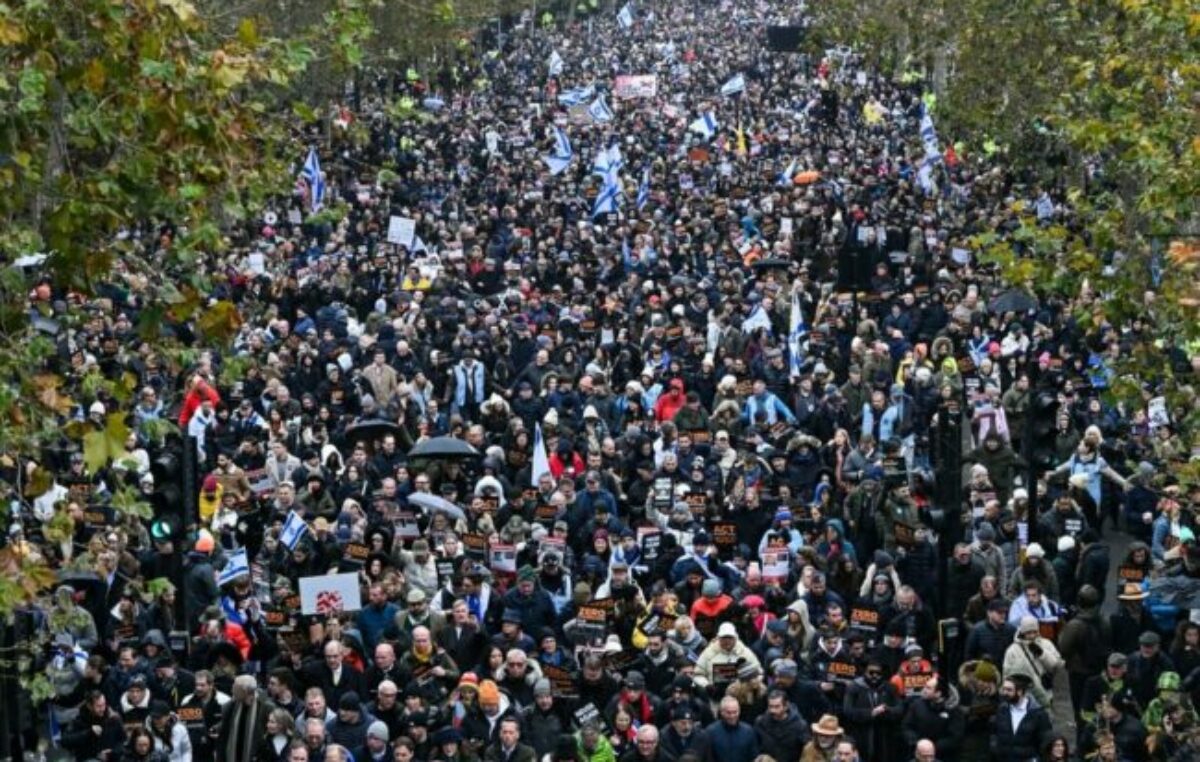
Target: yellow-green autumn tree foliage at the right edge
pixel 1099 104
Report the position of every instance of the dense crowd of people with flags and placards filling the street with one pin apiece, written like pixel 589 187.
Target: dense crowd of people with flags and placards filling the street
pixel 718 506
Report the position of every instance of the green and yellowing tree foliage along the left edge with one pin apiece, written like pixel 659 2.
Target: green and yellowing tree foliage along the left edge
pixel 134 134
